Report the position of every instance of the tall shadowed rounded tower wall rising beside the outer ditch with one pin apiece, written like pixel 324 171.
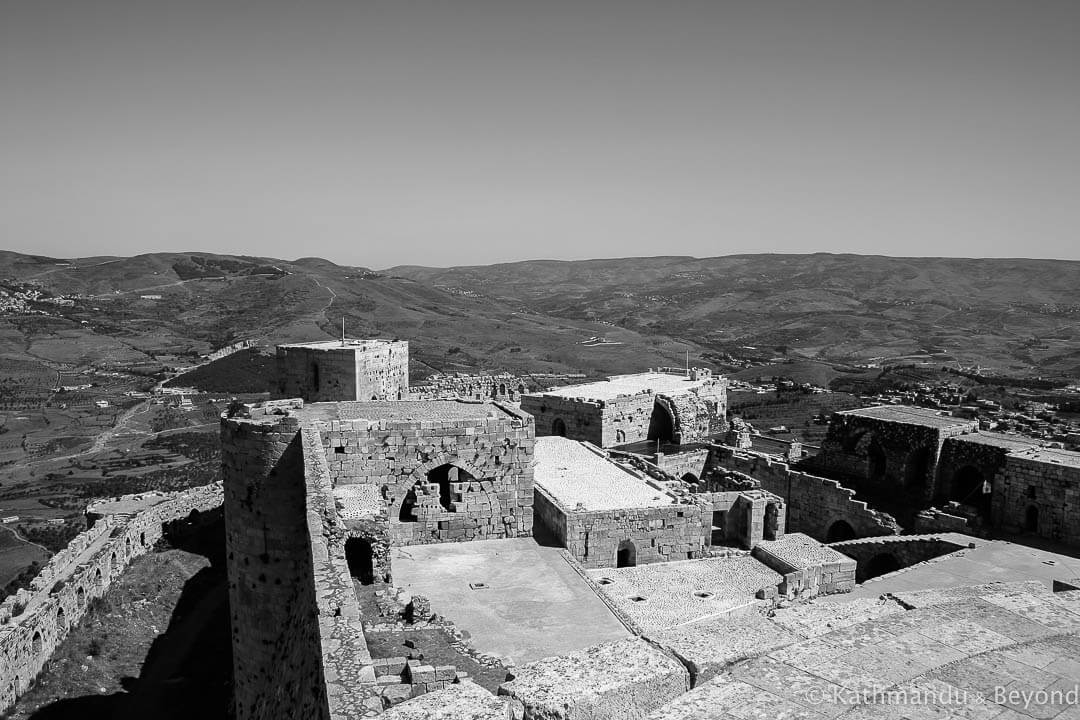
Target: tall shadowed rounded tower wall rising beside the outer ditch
pixel 275 616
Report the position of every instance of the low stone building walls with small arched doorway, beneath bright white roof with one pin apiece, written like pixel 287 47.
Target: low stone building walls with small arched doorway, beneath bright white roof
pixel 659 535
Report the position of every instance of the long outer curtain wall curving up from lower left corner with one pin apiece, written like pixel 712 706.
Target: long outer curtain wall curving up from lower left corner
pixel 34 622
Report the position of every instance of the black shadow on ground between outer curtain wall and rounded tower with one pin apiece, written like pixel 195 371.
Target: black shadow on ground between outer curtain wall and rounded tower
pixel 187 672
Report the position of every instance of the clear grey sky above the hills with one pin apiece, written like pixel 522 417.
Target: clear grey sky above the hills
pixel 453 133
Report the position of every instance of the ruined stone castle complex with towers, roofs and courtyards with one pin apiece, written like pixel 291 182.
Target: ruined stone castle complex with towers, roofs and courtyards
pixel 693 578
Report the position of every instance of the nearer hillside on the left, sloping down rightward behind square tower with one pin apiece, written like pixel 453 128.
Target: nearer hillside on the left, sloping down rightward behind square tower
pixel 115 313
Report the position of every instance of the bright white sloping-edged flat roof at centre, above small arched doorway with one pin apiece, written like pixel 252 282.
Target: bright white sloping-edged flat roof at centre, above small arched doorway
pixel 582 478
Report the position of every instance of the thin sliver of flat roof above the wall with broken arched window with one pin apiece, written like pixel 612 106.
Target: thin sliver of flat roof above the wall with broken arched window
pixel 403 411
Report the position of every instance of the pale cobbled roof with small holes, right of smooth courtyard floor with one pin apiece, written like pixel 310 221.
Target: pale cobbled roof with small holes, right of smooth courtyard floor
pixel 677 593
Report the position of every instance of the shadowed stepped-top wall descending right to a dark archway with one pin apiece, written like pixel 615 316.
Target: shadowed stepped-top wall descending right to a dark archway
pixel 814 504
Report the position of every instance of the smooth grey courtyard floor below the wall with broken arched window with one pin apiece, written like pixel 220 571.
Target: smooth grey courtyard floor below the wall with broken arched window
pixel 534 606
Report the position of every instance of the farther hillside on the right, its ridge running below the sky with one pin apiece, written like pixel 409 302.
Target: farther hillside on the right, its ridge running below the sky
pixel 1017 316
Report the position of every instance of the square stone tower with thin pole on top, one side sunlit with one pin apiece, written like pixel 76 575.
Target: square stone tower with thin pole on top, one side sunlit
pixel 337 371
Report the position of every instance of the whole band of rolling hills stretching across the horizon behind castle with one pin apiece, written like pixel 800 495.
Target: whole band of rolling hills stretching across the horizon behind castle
pixel 1018 317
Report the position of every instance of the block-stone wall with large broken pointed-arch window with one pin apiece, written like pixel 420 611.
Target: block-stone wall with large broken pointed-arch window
pixel 398 457
